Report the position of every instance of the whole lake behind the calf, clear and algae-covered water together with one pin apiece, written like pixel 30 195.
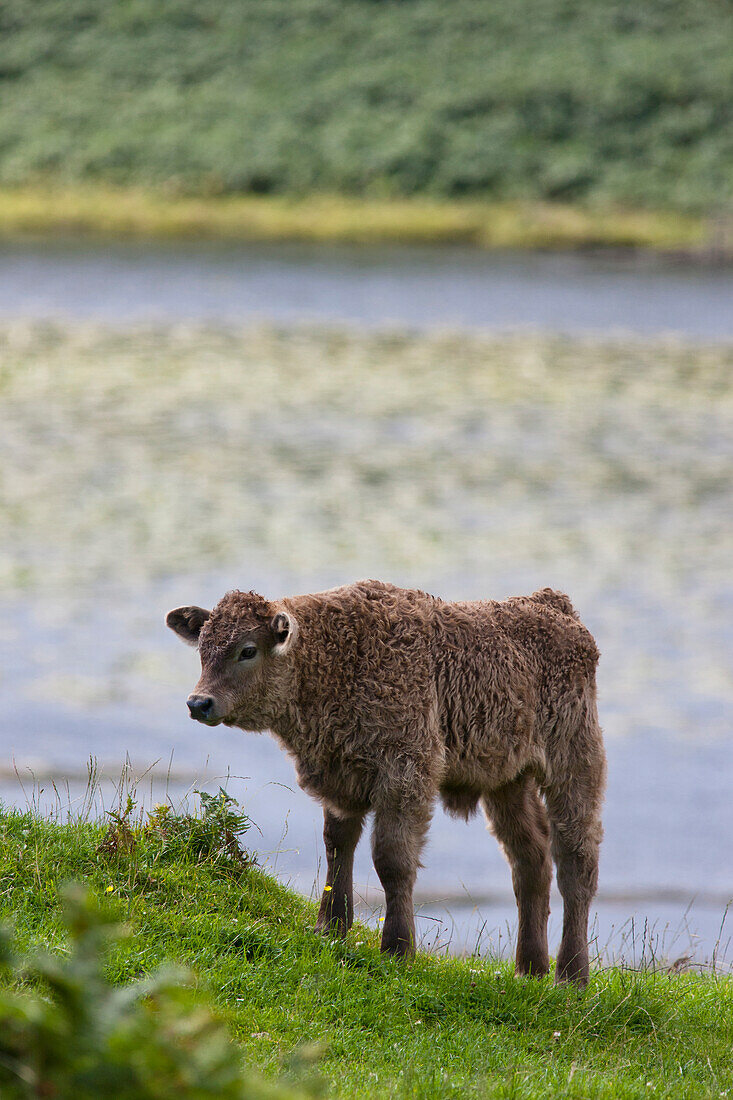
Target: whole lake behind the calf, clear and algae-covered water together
pixel 158 449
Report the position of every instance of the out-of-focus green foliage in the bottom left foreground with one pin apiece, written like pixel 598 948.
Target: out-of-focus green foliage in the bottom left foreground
pixel 82 1039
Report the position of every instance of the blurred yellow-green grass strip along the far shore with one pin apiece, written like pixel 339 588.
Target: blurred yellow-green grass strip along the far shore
pixel 100 211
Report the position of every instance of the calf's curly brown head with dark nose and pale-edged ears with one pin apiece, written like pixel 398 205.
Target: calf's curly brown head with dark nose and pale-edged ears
pixel 245 645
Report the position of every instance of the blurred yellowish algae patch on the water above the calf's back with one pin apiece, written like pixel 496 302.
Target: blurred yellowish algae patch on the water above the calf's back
pixel 132 455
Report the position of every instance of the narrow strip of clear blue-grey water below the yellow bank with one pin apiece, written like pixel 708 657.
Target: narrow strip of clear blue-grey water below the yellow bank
pixel 422 288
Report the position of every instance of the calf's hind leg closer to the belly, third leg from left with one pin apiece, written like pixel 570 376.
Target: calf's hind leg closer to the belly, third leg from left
pixel 519 821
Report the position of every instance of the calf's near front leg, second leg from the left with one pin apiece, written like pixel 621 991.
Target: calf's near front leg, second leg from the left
pixel 398 839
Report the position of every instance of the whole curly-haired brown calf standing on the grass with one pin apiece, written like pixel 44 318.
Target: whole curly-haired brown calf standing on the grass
pixel 388 699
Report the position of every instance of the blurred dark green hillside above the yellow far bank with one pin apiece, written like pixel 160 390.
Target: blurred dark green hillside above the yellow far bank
pixel 540 100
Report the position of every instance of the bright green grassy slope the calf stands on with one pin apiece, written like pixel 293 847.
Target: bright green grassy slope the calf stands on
pixel 435 1028
